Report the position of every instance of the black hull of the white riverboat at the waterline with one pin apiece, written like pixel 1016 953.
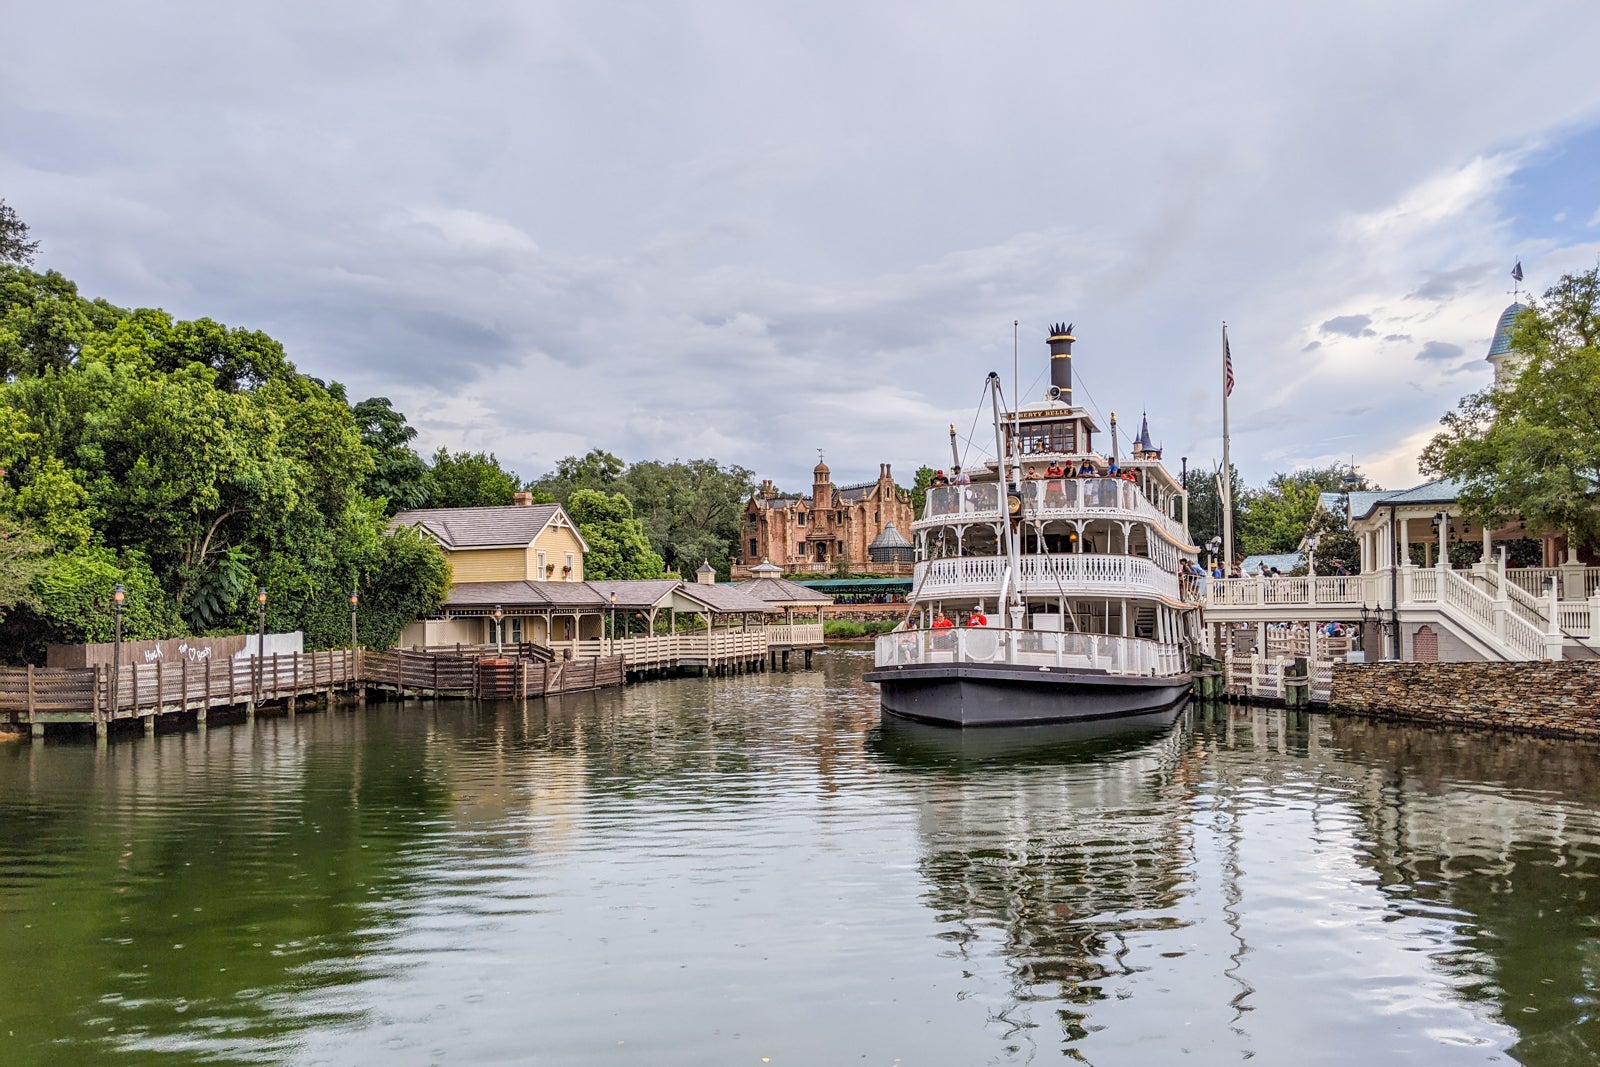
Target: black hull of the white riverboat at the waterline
pixel 1006 695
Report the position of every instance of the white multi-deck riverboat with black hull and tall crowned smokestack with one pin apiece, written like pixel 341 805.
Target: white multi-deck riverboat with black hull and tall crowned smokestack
pixel 1084 557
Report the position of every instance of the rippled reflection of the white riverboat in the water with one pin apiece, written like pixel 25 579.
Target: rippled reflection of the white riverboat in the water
pixel 1046 850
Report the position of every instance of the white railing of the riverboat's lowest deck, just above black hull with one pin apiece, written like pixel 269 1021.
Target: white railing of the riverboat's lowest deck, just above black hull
pixel 1034 649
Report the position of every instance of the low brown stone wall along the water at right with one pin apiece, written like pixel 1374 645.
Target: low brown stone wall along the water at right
pixel 1551 700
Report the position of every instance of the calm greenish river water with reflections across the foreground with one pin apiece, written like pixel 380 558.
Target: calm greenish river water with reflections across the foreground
pixel 758 871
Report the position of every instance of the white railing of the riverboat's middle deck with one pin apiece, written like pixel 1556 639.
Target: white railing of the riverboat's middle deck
pixel 1071 575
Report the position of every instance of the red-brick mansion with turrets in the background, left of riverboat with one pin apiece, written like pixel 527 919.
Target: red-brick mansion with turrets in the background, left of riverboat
pixel 831 530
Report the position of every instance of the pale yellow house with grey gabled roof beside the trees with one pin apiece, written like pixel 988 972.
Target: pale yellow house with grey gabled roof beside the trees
pixel 524 543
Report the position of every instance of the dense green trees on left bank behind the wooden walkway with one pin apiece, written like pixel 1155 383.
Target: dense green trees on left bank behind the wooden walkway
pixel 190 463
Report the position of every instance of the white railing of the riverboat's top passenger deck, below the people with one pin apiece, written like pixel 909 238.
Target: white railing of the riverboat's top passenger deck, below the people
pixel 1049 500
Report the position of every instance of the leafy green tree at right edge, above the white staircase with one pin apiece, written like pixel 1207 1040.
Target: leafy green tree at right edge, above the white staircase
pixel 1530 447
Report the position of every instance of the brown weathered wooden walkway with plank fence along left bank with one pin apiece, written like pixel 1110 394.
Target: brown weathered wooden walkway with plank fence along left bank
pixel 44 697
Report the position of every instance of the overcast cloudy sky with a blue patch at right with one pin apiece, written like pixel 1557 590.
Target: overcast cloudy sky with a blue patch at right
pixel 753 231
